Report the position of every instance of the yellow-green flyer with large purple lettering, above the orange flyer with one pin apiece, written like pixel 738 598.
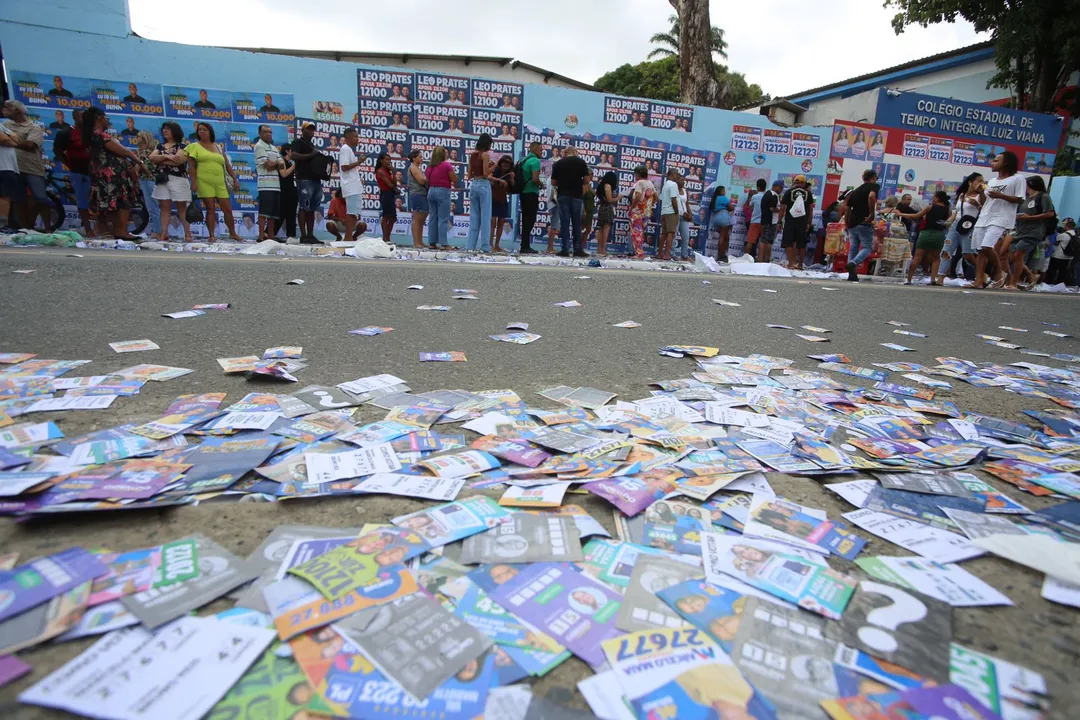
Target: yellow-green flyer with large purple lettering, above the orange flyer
pixel 358 563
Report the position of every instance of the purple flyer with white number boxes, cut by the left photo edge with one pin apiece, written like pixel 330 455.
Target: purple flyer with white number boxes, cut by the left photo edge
pixel 42 580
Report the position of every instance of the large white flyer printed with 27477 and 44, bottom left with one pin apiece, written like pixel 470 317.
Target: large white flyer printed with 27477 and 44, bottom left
pixel 177 674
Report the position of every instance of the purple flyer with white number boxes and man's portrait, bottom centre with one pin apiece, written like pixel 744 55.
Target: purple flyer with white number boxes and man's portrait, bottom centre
pixel 572 607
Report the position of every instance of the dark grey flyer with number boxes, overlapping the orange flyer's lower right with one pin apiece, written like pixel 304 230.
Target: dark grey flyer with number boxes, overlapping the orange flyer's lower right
pixel 418 644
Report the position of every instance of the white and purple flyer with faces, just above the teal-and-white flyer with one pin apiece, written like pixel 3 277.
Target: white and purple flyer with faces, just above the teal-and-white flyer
pixel 790 523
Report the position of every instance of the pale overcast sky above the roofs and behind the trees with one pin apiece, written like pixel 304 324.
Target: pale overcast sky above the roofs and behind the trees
pixel 782 46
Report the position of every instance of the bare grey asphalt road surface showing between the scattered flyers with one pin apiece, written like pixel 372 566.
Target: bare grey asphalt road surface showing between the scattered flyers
pixel 73 308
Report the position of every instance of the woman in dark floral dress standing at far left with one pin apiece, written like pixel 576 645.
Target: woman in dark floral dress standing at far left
pixel 115 192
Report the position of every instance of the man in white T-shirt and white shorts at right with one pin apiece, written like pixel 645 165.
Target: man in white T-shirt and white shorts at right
pixel 1000 200
